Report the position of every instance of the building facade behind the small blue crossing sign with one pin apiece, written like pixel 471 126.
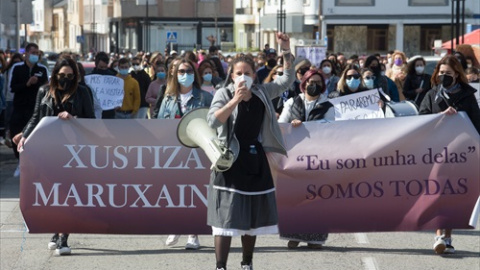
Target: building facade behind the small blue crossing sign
pixel 153 25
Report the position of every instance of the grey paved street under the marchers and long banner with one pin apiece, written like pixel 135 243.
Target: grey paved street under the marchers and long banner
pixel 368 251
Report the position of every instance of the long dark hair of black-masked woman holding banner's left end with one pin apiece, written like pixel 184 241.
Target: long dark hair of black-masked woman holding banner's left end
pixel 54 84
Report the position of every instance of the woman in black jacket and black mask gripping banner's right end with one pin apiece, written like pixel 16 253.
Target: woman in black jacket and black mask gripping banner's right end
pixel 450 94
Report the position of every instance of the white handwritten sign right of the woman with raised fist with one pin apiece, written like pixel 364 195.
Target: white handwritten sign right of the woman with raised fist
pixel 362 105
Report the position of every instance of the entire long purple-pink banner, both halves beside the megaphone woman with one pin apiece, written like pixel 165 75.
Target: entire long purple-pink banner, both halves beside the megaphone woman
pixel 134 177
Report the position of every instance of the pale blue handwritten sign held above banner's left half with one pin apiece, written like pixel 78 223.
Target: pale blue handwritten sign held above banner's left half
pixel 107 89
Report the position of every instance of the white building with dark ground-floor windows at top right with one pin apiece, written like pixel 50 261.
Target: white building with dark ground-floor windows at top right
pixel 367 26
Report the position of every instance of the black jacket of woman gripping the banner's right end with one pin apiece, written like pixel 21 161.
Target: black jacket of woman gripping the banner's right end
pixel 464 100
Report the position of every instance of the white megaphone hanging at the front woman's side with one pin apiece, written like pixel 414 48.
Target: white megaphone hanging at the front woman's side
pixel 193 131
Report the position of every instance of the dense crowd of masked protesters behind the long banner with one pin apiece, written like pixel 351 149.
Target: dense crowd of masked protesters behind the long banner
pixel 168 85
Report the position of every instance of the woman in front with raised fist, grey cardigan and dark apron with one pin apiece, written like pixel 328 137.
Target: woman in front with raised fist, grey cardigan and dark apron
pixel 241 199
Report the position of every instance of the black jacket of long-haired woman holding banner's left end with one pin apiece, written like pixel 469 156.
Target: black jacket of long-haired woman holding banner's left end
pixel 80 105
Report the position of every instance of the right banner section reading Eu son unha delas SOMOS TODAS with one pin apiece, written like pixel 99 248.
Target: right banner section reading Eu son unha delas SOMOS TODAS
pixel 407 174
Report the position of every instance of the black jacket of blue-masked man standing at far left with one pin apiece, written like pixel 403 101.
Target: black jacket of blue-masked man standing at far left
pixel 25 95
